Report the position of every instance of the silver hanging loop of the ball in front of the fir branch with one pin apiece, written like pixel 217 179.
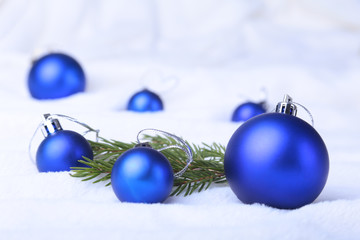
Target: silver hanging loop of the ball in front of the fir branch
pixel 184 147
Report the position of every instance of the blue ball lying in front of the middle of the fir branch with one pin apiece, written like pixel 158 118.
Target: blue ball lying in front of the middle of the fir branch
pixel 142 175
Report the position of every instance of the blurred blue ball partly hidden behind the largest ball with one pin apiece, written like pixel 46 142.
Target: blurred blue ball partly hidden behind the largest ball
pixel 246 111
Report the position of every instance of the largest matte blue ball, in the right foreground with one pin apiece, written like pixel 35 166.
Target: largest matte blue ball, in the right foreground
pixel 278 160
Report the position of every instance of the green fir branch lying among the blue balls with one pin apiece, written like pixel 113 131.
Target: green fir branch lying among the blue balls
pixel 207 166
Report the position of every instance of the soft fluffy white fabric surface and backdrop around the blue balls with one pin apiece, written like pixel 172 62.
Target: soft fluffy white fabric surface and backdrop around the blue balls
pixel 222 53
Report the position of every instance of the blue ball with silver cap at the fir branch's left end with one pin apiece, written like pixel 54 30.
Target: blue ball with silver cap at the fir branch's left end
pixel 61 150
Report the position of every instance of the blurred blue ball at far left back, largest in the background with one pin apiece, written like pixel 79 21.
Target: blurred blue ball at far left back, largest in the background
pixel 55 75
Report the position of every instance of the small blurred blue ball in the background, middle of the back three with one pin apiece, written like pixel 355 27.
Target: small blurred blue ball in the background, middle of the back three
pixel 145 101
